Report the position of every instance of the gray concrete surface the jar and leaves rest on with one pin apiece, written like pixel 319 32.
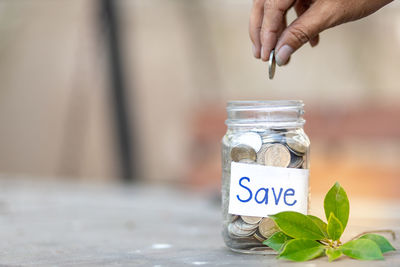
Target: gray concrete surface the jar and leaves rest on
pixel 69 224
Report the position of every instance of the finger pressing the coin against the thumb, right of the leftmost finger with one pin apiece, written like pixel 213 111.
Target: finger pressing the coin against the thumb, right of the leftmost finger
pixel 273 24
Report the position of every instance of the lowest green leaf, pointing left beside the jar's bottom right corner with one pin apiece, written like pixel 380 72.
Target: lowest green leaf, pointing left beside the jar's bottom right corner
pixel 301 250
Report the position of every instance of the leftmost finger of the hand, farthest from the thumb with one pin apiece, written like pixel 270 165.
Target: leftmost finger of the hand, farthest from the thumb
pixel 256 17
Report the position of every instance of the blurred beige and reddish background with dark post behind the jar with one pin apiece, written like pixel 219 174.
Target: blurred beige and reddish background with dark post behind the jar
pixel 135 90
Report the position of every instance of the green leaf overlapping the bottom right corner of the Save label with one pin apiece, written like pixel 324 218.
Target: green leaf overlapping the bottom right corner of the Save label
pixel 297 225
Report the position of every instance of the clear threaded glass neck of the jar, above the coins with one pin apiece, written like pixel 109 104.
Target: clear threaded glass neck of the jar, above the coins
pixel 267 114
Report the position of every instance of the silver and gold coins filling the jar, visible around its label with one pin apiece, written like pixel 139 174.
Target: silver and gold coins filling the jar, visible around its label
pixel 277 148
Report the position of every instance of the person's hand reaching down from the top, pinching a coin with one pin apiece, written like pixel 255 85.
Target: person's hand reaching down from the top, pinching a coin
pixel 268 28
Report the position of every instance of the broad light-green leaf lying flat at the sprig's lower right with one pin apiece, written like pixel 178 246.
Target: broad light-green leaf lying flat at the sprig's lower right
pixel 362 249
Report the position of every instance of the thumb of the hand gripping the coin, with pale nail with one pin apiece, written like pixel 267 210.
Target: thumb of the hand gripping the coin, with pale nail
pixel 300 31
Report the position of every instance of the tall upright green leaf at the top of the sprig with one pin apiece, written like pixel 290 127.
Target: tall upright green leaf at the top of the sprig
pixel 336 201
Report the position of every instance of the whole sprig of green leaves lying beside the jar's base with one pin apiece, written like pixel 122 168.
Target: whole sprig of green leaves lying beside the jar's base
pixel 305 237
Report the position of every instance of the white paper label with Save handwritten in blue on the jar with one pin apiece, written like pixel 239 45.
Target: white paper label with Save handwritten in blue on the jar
pixel 260 191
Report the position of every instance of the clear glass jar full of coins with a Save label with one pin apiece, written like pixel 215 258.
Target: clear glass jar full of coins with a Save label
pixel 265 161
